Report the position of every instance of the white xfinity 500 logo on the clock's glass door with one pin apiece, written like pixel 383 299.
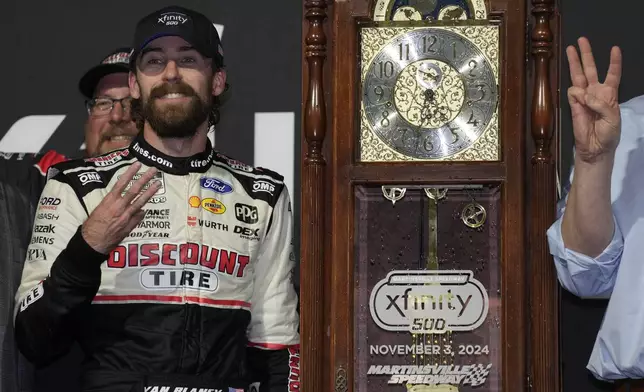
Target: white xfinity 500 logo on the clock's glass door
pixel 429 302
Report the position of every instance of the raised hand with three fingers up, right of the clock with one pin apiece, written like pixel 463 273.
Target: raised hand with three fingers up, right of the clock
pixel 596 118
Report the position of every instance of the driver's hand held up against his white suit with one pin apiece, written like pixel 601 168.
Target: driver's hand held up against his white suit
pixel 120 211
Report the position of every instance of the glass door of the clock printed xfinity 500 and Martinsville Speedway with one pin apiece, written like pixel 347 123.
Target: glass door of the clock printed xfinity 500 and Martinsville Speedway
pixel 427 288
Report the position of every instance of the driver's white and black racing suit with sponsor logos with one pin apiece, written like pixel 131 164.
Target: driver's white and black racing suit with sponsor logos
pixel 199 297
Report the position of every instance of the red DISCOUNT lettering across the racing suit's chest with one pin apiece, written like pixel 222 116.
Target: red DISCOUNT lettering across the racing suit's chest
pixel 155 254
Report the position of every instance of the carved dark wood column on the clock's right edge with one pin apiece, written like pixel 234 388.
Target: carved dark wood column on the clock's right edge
pixel 543 295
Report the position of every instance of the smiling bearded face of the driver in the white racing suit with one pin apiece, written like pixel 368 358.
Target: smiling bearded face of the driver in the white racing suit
pixel 175 84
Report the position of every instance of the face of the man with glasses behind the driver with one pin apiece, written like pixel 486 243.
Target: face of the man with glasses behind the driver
pixel 107 130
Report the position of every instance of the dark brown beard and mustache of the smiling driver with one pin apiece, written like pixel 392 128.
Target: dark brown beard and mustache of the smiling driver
pixel 175 120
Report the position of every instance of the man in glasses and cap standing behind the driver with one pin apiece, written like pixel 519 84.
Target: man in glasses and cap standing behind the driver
pixel 109 126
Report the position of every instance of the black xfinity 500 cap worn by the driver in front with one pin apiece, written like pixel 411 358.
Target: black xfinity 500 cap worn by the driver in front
pixel 177 21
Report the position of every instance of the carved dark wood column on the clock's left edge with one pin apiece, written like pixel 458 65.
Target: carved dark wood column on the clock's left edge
pixel 313 201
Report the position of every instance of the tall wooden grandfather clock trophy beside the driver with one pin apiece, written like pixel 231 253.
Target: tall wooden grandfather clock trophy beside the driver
pixel 416 271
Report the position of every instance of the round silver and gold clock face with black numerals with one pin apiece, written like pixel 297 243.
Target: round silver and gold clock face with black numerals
pixel 429 93
